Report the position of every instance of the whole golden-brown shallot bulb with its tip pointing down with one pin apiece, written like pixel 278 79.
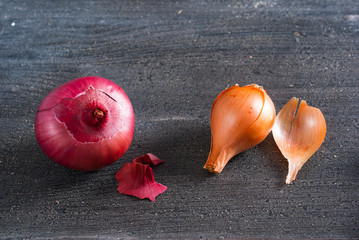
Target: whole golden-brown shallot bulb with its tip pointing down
pixel 241 118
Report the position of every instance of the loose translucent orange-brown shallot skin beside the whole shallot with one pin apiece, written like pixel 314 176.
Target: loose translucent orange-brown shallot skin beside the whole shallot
pixel 299 134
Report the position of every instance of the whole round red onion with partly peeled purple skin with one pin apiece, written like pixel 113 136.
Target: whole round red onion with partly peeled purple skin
pixel 85 124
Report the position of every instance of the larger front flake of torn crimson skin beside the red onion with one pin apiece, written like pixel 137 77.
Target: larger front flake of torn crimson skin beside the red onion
pixel 137 179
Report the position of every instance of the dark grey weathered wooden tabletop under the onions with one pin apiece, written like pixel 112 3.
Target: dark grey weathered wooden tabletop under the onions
pixel 173 59
